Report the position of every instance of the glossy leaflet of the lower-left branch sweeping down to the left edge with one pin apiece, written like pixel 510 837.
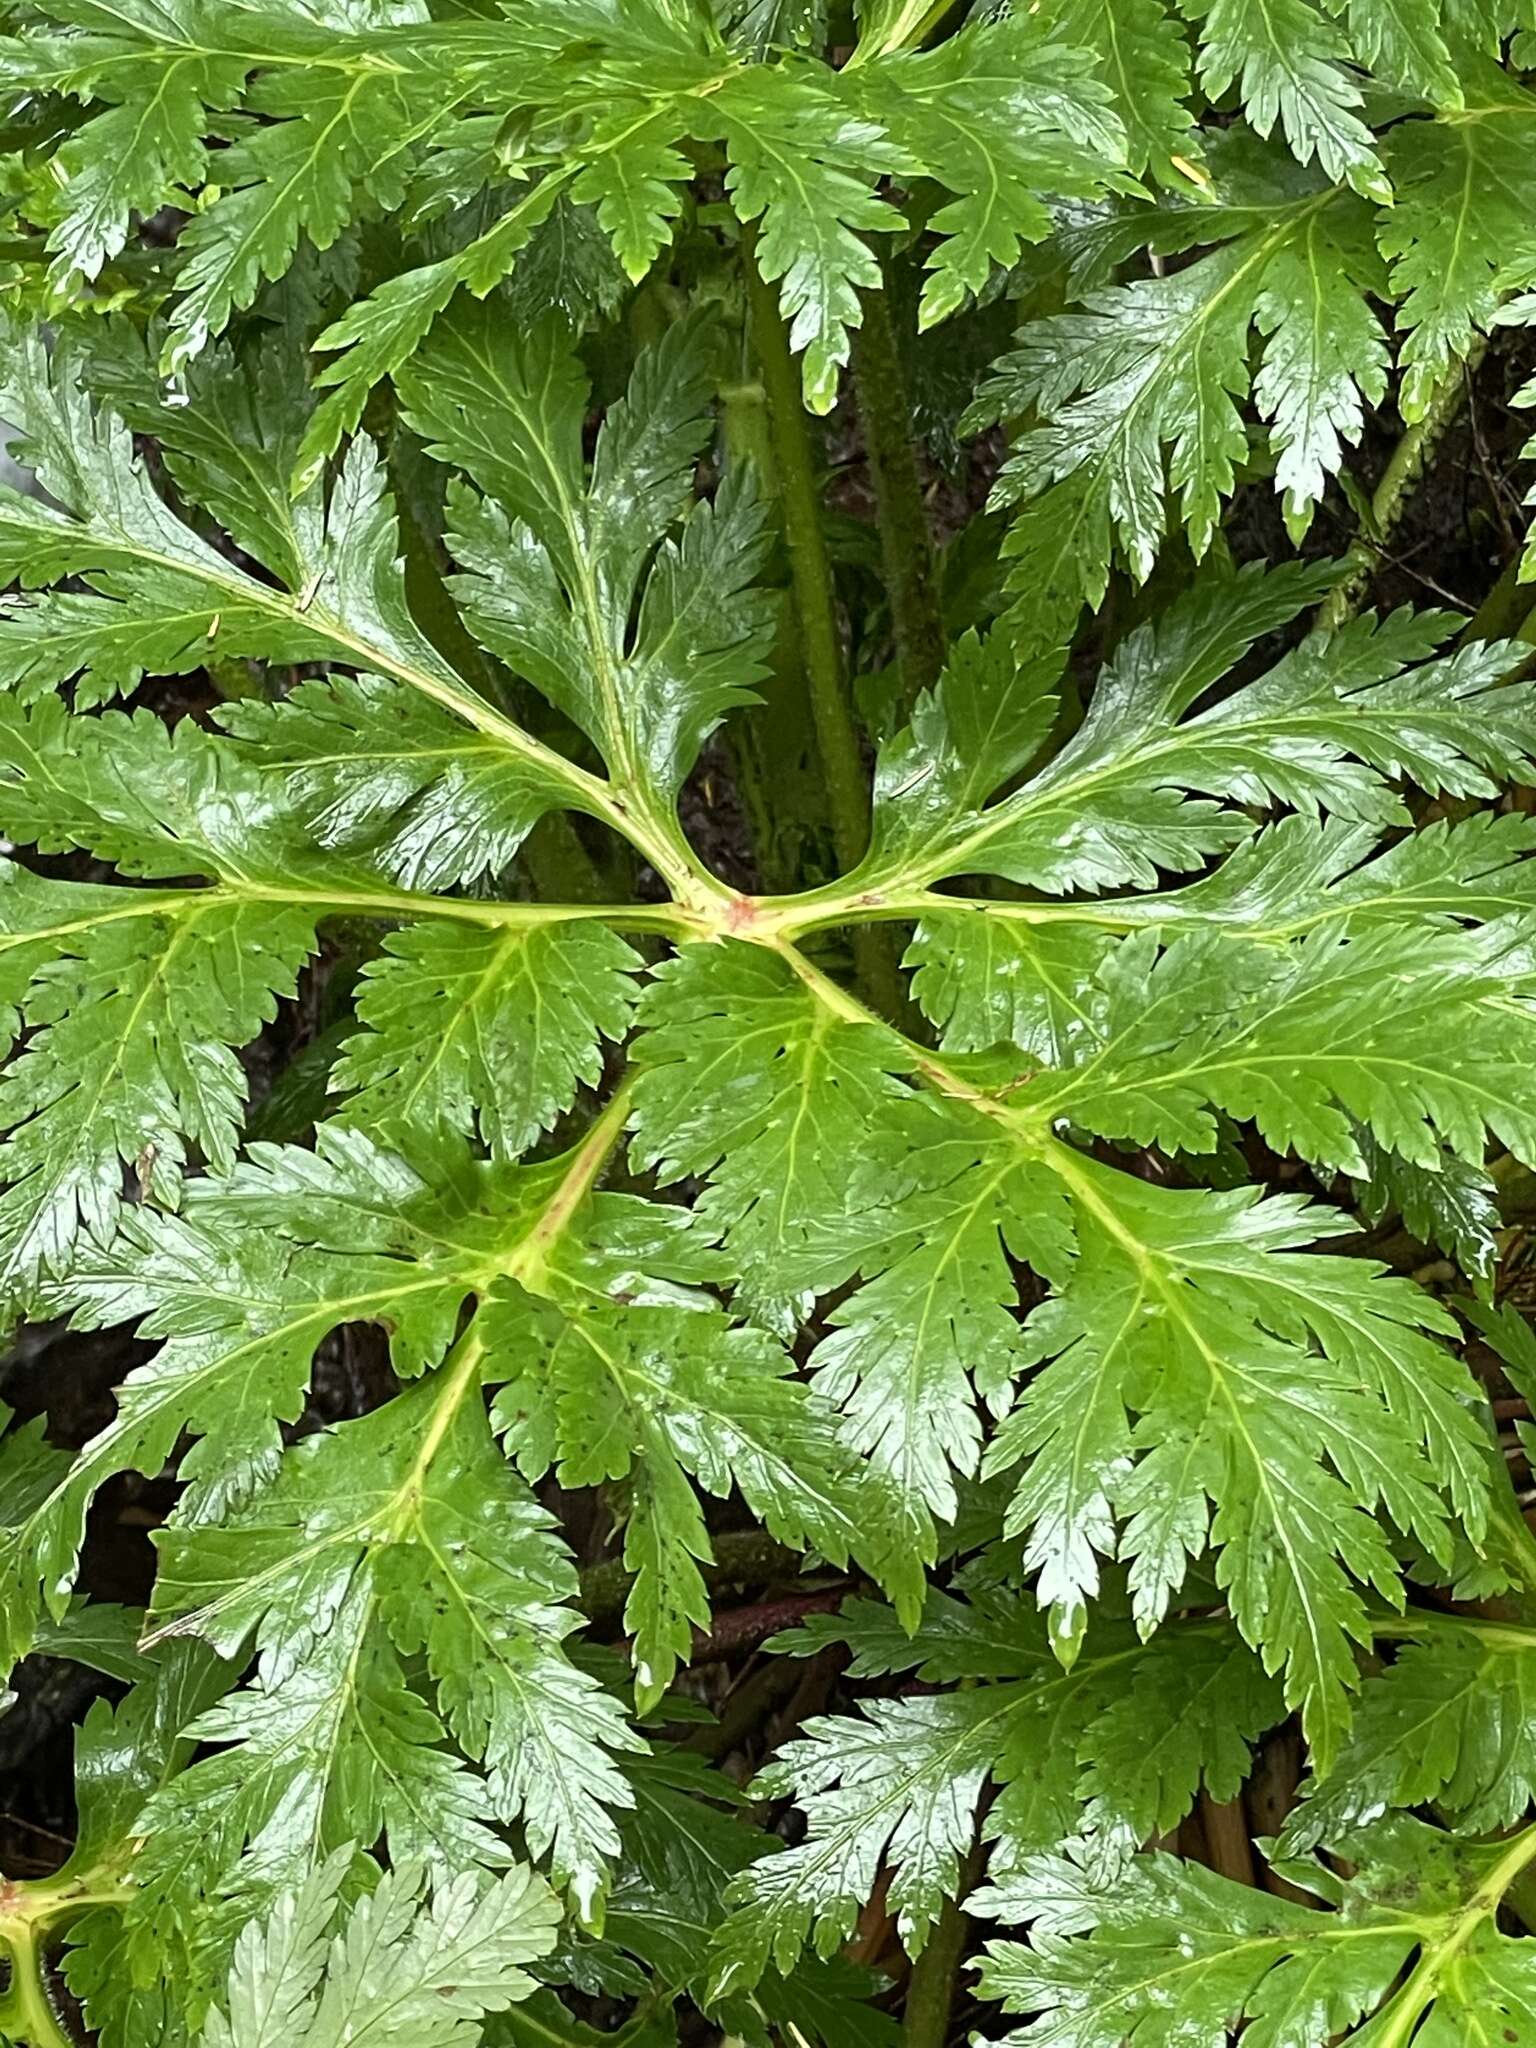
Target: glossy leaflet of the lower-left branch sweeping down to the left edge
pixel 243 1287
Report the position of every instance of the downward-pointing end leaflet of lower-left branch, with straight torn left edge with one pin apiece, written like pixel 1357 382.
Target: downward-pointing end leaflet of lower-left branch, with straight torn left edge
pixel 402 1533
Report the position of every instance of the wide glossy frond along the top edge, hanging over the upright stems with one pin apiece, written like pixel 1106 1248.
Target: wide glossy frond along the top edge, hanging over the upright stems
pixel 603 101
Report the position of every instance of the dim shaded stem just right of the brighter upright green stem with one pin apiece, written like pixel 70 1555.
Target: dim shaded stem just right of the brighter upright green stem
pixel 902 515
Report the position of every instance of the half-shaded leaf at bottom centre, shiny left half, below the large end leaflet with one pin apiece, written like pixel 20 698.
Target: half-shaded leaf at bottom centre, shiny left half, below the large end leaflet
pixel 904 1783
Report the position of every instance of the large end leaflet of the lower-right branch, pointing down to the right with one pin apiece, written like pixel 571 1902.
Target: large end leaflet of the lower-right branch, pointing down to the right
pixel 1183 1381
